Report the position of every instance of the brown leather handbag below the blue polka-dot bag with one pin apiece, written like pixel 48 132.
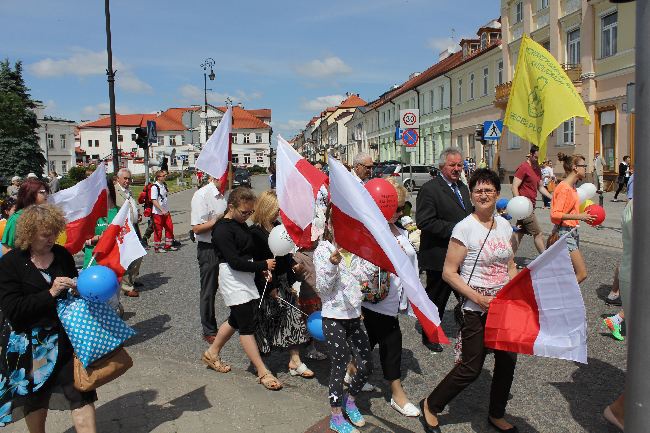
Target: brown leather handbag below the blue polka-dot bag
pixel 102 371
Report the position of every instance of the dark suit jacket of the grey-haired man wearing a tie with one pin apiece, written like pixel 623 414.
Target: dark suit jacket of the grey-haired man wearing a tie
pixel 438 211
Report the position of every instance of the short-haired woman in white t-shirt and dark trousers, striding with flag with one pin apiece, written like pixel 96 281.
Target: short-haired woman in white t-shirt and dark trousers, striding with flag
pixel 478 264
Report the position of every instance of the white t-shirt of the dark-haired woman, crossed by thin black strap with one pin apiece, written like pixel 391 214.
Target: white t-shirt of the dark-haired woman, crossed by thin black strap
pixel 492 266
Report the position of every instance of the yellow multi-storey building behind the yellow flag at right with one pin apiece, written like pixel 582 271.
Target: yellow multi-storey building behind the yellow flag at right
pixel 594 41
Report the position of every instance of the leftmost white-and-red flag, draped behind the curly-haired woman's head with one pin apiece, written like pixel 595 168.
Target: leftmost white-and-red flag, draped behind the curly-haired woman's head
pixel 82 205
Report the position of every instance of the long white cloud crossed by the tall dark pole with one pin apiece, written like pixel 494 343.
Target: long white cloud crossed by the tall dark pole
pixel 84 63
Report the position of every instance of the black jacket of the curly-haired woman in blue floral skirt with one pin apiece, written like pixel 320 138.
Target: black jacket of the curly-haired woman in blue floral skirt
pixel 25 299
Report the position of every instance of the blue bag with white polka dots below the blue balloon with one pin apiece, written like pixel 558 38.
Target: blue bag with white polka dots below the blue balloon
pixel 94 329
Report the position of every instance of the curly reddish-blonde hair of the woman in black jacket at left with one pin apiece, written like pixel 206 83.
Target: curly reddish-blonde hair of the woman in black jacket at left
pixel 35 219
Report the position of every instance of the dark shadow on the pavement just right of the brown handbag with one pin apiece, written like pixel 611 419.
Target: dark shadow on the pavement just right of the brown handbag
pixel 136 411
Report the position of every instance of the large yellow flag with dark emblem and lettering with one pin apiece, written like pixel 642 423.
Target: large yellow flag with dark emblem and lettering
pixel 542 96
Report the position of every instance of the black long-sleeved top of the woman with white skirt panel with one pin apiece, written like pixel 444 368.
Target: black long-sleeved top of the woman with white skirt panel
pixel 234 245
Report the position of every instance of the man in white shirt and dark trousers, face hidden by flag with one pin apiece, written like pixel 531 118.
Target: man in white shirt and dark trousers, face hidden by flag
pixel 208 206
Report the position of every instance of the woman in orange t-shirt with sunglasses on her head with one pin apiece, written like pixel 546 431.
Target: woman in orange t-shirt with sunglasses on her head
pixel 565 209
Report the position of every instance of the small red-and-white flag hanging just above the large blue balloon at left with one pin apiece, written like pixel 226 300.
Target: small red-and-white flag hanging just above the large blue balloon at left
pixel 119 245
